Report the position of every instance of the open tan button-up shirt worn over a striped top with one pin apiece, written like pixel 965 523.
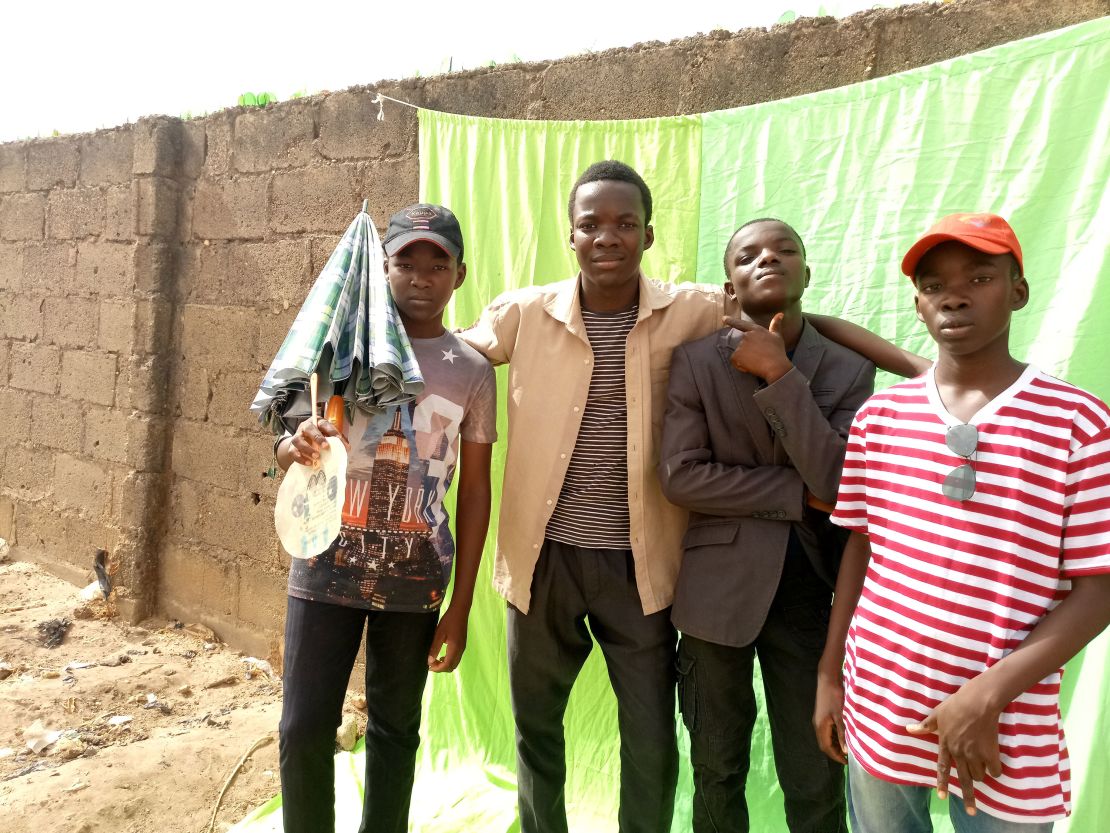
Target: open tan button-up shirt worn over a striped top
pixel 540 334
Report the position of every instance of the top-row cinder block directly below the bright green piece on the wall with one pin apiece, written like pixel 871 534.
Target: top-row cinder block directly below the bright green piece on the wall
pixel 279 137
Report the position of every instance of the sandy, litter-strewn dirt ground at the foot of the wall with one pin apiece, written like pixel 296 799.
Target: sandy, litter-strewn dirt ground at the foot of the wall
pixel 154 719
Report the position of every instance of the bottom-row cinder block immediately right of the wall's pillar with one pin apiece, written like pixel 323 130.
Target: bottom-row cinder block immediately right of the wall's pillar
pixel 196 583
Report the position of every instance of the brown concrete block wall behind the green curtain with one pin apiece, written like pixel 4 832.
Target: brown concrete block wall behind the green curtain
pixel 149 274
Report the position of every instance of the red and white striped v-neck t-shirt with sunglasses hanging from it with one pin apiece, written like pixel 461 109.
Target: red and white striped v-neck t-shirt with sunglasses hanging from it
pixel 954 587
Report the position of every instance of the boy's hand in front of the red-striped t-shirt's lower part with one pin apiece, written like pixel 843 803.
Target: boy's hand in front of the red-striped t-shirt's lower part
pixel 967 736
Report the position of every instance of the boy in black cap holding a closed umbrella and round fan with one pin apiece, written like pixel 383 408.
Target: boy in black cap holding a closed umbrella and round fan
pixel 388 571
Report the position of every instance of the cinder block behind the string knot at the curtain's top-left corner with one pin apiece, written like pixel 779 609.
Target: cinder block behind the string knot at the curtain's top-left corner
pixel 350 129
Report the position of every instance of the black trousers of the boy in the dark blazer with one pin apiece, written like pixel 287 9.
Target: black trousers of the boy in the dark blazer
pixel 719 707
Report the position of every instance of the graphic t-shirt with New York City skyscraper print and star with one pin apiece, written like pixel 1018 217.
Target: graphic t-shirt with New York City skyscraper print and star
pixel 396 550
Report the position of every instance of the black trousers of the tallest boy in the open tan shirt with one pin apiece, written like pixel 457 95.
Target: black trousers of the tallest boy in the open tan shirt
pixel 547 651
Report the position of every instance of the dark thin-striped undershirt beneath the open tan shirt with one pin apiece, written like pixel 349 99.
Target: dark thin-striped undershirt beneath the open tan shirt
pixel 593 507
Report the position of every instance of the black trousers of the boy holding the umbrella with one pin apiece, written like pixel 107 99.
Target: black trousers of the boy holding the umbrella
pixel 321 644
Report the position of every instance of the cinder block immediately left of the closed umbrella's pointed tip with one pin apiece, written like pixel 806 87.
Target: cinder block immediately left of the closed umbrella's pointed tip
pixel 325 198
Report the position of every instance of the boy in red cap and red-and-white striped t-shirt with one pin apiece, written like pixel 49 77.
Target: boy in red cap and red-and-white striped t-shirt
pixel 978 497
